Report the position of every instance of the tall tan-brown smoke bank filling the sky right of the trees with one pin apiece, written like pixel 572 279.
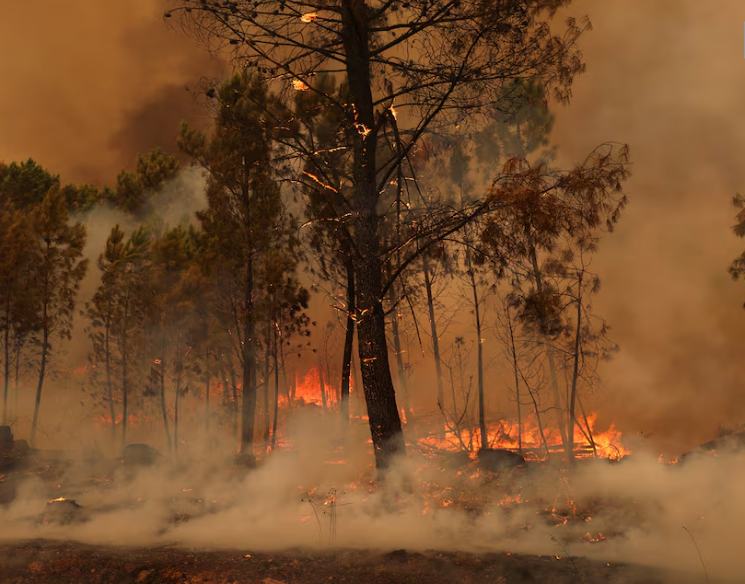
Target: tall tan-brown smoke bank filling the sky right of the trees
pixel 663 78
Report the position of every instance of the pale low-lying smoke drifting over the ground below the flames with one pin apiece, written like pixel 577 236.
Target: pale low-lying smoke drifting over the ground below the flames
pixel 639 506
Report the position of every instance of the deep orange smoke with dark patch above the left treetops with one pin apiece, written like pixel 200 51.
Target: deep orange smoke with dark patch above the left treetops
pixel 94 84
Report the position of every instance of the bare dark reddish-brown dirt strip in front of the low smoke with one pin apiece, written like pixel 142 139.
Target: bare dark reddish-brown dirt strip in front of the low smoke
pixel 55 562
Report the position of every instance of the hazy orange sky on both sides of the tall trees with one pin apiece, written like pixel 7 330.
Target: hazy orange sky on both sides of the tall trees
pixel 96 82
